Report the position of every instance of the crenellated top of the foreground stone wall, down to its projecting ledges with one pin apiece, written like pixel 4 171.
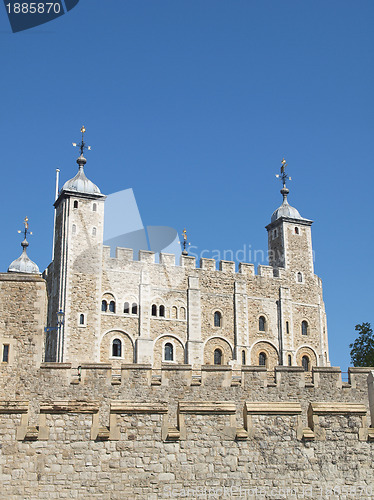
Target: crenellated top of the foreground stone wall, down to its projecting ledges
pixel 171 394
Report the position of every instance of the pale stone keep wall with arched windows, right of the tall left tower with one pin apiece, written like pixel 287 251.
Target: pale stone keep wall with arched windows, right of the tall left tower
pixel 241 298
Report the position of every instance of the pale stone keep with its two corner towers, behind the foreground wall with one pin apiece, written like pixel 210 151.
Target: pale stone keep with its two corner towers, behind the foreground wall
pixel 124 310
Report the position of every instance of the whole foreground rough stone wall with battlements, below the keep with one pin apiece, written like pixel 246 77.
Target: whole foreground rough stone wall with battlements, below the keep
pixel 210 448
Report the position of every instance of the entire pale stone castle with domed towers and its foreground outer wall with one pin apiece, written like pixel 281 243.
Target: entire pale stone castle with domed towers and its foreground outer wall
pixel 124 377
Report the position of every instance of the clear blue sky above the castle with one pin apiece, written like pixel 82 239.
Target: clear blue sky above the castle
pixel 193 104
